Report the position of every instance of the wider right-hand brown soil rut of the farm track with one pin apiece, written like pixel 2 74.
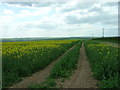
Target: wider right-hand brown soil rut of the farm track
pixel 82 77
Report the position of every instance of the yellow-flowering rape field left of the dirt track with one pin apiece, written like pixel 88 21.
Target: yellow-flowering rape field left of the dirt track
pixel 21 59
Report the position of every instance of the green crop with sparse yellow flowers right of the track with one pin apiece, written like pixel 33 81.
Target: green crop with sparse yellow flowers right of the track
pixel 104 61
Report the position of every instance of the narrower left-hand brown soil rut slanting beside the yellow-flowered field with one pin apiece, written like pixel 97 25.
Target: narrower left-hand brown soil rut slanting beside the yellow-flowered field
pixel 39 76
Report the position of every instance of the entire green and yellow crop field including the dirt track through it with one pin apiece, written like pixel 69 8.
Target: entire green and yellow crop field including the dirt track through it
pixel 66 63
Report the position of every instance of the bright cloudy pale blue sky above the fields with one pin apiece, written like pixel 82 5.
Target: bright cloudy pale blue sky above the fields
pixel 58 19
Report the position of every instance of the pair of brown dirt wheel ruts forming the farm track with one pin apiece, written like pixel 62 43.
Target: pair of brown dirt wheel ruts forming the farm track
pixel 82 77
